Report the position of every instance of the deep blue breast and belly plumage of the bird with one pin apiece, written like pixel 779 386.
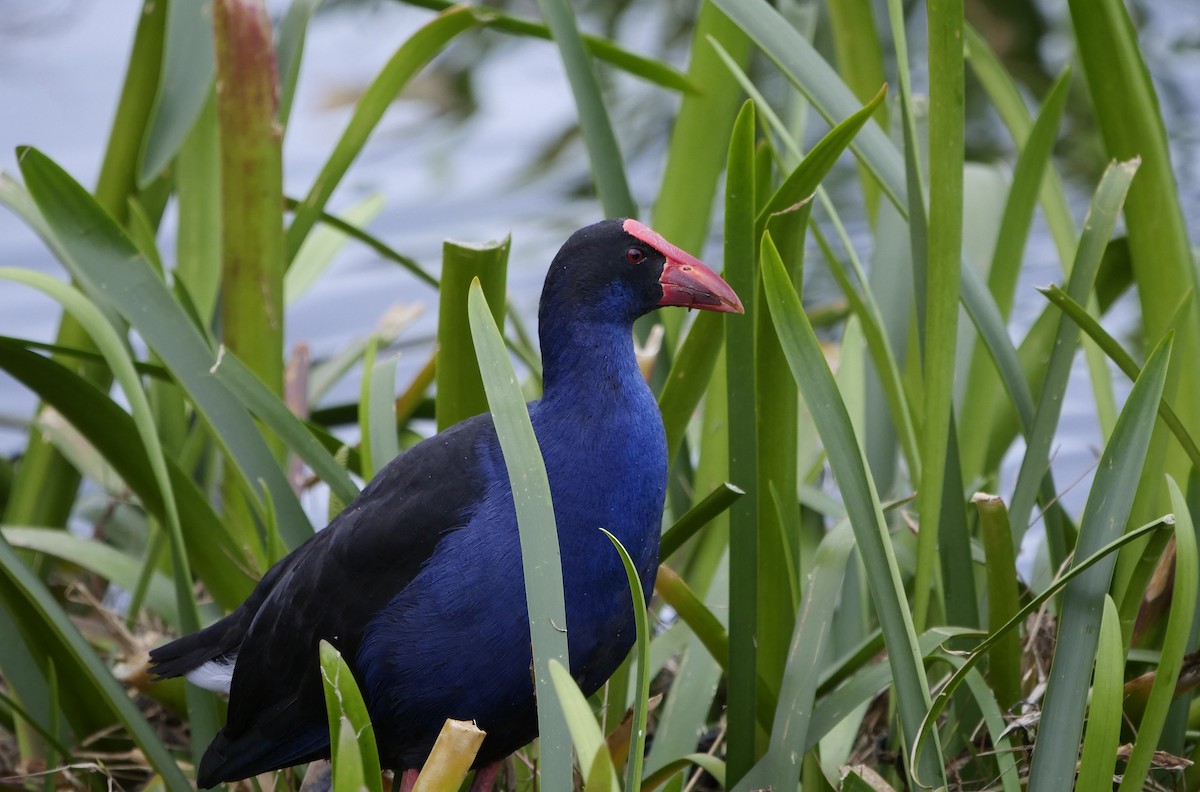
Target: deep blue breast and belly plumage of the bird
pixel 607 461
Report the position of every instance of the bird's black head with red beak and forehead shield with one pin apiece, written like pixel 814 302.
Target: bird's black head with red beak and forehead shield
pixel 617 271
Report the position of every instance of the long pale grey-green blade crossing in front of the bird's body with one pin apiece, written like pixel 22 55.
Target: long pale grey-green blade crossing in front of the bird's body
pixel 539 536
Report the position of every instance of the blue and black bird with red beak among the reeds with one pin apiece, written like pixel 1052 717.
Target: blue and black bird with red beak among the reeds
pixel 418 581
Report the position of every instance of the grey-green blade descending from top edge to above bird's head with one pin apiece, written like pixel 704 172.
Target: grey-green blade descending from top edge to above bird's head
pixel 608 165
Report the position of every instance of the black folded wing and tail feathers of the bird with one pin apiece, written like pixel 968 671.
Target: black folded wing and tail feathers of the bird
pixel 329 589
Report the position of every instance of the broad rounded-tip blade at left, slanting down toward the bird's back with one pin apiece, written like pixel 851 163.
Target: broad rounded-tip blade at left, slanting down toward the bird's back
pixel 112 272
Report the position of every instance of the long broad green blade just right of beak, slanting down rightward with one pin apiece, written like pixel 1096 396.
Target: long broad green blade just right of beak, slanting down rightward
pixel 830 415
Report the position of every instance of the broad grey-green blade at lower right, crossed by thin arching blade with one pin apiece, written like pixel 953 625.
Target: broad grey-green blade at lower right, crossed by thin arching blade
pixel 1105 519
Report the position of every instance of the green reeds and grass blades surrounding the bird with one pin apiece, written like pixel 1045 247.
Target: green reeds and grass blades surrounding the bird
pixel 809 440
